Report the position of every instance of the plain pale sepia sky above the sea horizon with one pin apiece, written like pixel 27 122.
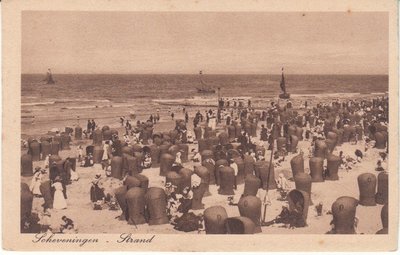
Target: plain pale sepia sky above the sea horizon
pixel 217 43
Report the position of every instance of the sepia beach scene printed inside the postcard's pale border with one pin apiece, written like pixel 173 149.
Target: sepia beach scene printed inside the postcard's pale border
pixel 197 123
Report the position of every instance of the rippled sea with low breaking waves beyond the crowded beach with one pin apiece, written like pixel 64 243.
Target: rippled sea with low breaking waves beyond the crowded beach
pixel 78 97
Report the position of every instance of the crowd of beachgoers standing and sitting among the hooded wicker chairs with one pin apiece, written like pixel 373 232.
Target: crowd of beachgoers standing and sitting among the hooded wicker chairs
pixel 275 121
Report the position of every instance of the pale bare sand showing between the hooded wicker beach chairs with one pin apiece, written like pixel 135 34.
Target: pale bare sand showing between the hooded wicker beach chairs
pixel 80 208
